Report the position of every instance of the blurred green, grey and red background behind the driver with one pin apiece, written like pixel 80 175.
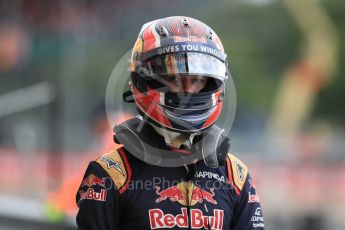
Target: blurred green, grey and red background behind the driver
pixel 287 61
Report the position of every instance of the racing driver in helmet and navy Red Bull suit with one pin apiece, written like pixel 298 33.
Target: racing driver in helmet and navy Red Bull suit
pixel 173 168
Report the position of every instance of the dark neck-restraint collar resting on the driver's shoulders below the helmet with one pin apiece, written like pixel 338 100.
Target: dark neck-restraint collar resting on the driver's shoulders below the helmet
pixel 143 142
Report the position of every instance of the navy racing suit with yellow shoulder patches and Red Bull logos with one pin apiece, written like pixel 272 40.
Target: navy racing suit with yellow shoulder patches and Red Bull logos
pixel 119 191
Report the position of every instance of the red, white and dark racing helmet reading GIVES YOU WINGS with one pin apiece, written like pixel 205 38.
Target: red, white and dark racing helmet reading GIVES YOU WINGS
pixel 178 46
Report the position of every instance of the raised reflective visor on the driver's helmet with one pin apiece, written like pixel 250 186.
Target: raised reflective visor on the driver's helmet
pixel 190 63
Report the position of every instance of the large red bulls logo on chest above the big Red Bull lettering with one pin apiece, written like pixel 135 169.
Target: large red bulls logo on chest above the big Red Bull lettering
pixel 184 190
